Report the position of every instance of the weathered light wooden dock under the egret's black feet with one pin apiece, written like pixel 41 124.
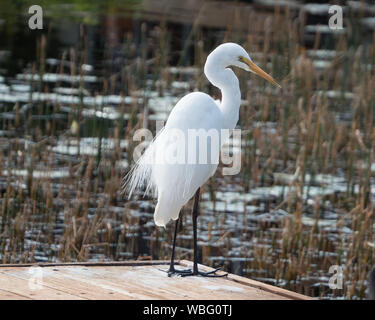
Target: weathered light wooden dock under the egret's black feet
pixel 127 280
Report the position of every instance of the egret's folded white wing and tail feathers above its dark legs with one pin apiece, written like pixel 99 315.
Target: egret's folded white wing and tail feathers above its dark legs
pixel 177 182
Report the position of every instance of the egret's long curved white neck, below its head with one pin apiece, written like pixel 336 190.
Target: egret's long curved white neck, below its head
pixel 225 79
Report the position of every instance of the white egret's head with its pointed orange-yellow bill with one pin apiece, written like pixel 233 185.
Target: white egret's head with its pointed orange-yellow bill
pixel 231 54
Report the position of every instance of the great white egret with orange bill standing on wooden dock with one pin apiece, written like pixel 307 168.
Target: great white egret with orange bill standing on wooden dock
pixel 174 183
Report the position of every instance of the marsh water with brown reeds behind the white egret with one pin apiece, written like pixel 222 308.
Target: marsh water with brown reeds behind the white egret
pixel 73 94
